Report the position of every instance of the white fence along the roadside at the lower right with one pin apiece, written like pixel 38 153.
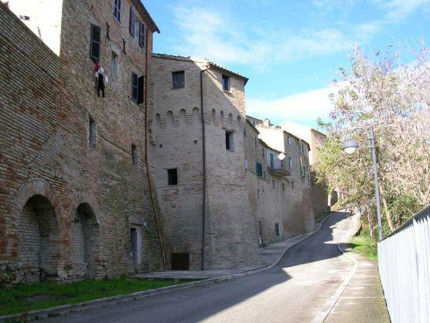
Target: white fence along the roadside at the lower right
pixel 404 268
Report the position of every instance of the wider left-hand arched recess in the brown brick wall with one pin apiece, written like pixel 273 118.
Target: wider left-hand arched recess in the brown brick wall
pixel 38 236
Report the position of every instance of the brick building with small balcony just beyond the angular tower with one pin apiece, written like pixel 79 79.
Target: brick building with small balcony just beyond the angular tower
pixel 283 200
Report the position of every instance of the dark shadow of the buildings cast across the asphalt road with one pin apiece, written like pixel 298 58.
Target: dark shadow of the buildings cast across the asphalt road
pixel 203 302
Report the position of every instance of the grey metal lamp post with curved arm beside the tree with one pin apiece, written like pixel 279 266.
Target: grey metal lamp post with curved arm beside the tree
pixel 350 146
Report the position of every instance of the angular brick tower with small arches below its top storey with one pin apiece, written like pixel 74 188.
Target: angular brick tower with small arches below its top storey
pixel 176 138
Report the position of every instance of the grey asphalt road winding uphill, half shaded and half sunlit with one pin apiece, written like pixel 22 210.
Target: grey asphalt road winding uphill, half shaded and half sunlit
pixel 293 291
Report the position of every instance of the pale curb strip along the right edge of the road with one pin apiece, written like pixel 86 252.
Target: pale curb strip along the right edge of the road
pixel 332 301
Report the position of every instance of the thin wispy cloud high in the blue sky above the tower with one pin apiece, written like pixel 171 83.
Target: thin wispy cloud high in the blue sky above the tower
pixel 215 35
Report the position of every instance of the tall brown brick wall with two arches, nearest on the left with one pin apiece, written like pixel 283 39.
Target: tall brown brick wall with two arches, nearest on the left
pixel 47 165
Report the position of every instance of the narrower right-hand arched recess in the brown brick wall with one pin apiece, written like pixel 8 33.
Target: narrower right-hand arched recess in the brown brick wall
pixel 86 233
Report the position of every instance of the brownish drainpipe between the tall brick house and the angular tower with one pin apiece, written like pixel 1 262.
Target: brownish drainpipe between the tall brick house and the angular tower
pixel 151 192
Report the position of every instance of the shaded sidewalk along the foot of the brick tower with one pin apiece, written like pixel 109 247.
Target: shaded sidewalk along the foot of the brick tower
pixel 268 257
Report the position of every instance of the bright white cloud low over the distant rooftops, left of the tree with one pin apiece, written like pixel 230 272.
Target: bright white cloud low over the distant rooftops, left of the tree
pixel 302 108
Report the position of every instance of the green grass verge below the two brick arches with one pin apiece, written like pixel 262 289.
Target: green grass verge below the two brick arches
pixel 29 297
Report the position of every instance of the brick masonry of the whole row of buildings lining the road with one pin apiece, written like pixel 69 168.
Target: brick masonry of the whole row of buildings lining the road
pixel 75 200
